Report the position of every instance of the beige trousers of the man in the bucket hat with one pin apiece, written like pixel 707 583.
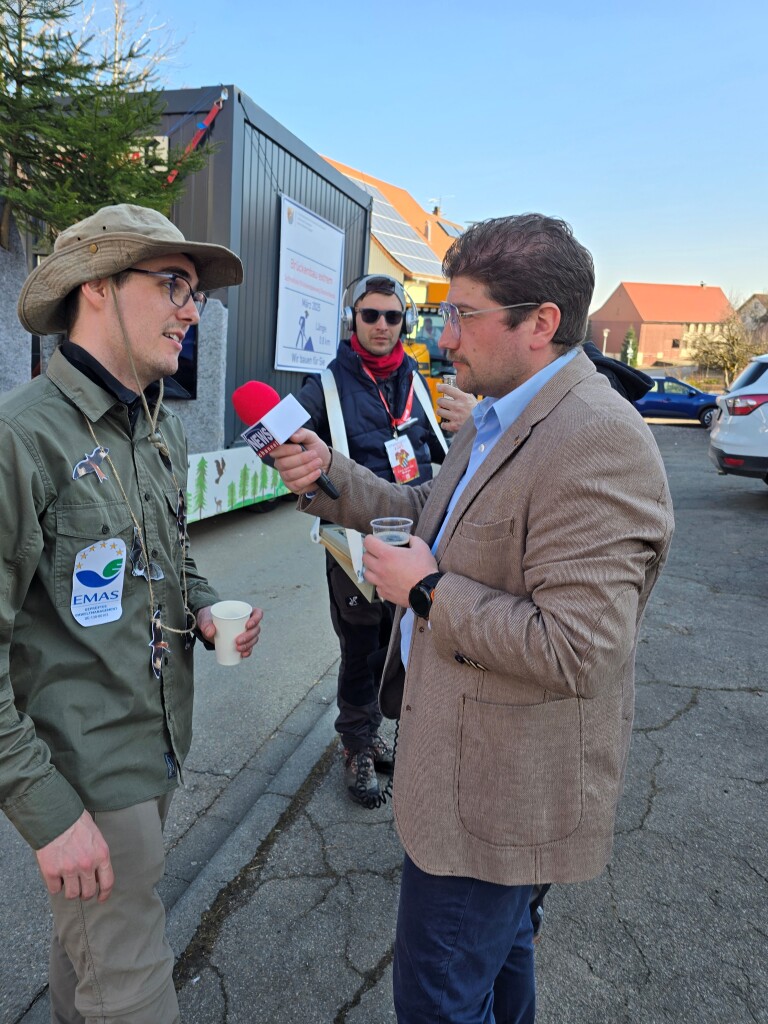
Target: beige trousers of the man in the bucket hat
pixel 111 963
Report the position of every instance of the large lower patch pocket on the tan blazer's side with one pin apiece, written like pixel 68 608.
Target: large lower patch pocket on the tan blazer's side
pixel 520 772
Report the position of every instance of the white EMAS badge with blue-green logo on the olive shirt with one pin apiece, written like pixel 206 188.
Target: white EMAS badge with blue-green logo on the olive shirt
pixel 98 583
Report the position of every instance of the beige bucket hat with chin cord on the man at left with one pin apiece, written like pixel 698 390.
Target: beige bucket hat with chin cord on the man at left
pixel 110 241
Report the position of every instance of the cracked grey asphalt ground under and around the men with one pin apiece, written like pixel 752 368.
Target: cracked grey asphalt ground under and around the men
pixel 283 894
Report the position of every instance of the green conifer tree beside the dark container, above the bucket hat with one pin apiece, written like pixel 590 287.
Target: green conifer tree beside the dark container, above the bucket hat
pixel 77 131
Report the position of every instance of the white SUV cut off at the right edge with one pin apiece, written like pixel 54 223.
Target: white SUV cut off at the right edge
pixel 739 443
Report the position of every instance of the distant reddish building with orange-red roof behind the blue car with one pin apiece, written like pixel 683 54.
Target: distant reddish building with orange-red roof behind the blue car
pixel 665 319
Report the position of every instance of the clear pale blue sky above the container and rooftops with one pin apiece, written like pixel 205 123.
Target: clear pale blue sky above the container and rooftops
pixel 643 125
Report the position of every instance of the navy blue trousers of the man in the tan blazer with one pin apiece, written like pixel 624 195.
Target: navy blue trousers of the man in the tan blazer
pixel 463 952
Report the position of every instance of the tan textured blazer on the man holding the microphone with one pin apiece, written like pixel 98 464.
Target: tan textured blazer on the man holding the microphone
pixel 518 706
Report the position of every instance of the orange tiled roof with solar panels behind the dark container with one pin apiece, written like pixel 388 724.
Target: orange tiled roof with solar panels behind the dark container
pixel 437 239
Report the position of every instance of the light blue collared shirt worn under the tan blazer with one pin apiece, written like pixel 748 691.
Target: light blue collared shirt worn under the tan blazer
pixel 493 418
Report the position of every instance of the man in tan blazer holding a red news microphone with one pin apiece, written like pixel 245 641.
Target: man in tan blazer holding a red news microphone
pixel 521 599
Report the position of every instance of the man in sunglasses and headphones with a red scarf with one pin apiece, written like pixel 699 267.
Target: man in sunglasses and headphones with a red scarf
pixel 382 414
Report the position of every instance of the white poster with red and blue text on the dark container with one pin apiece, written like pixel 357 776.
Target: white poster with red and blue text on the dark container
pixel 312 262
